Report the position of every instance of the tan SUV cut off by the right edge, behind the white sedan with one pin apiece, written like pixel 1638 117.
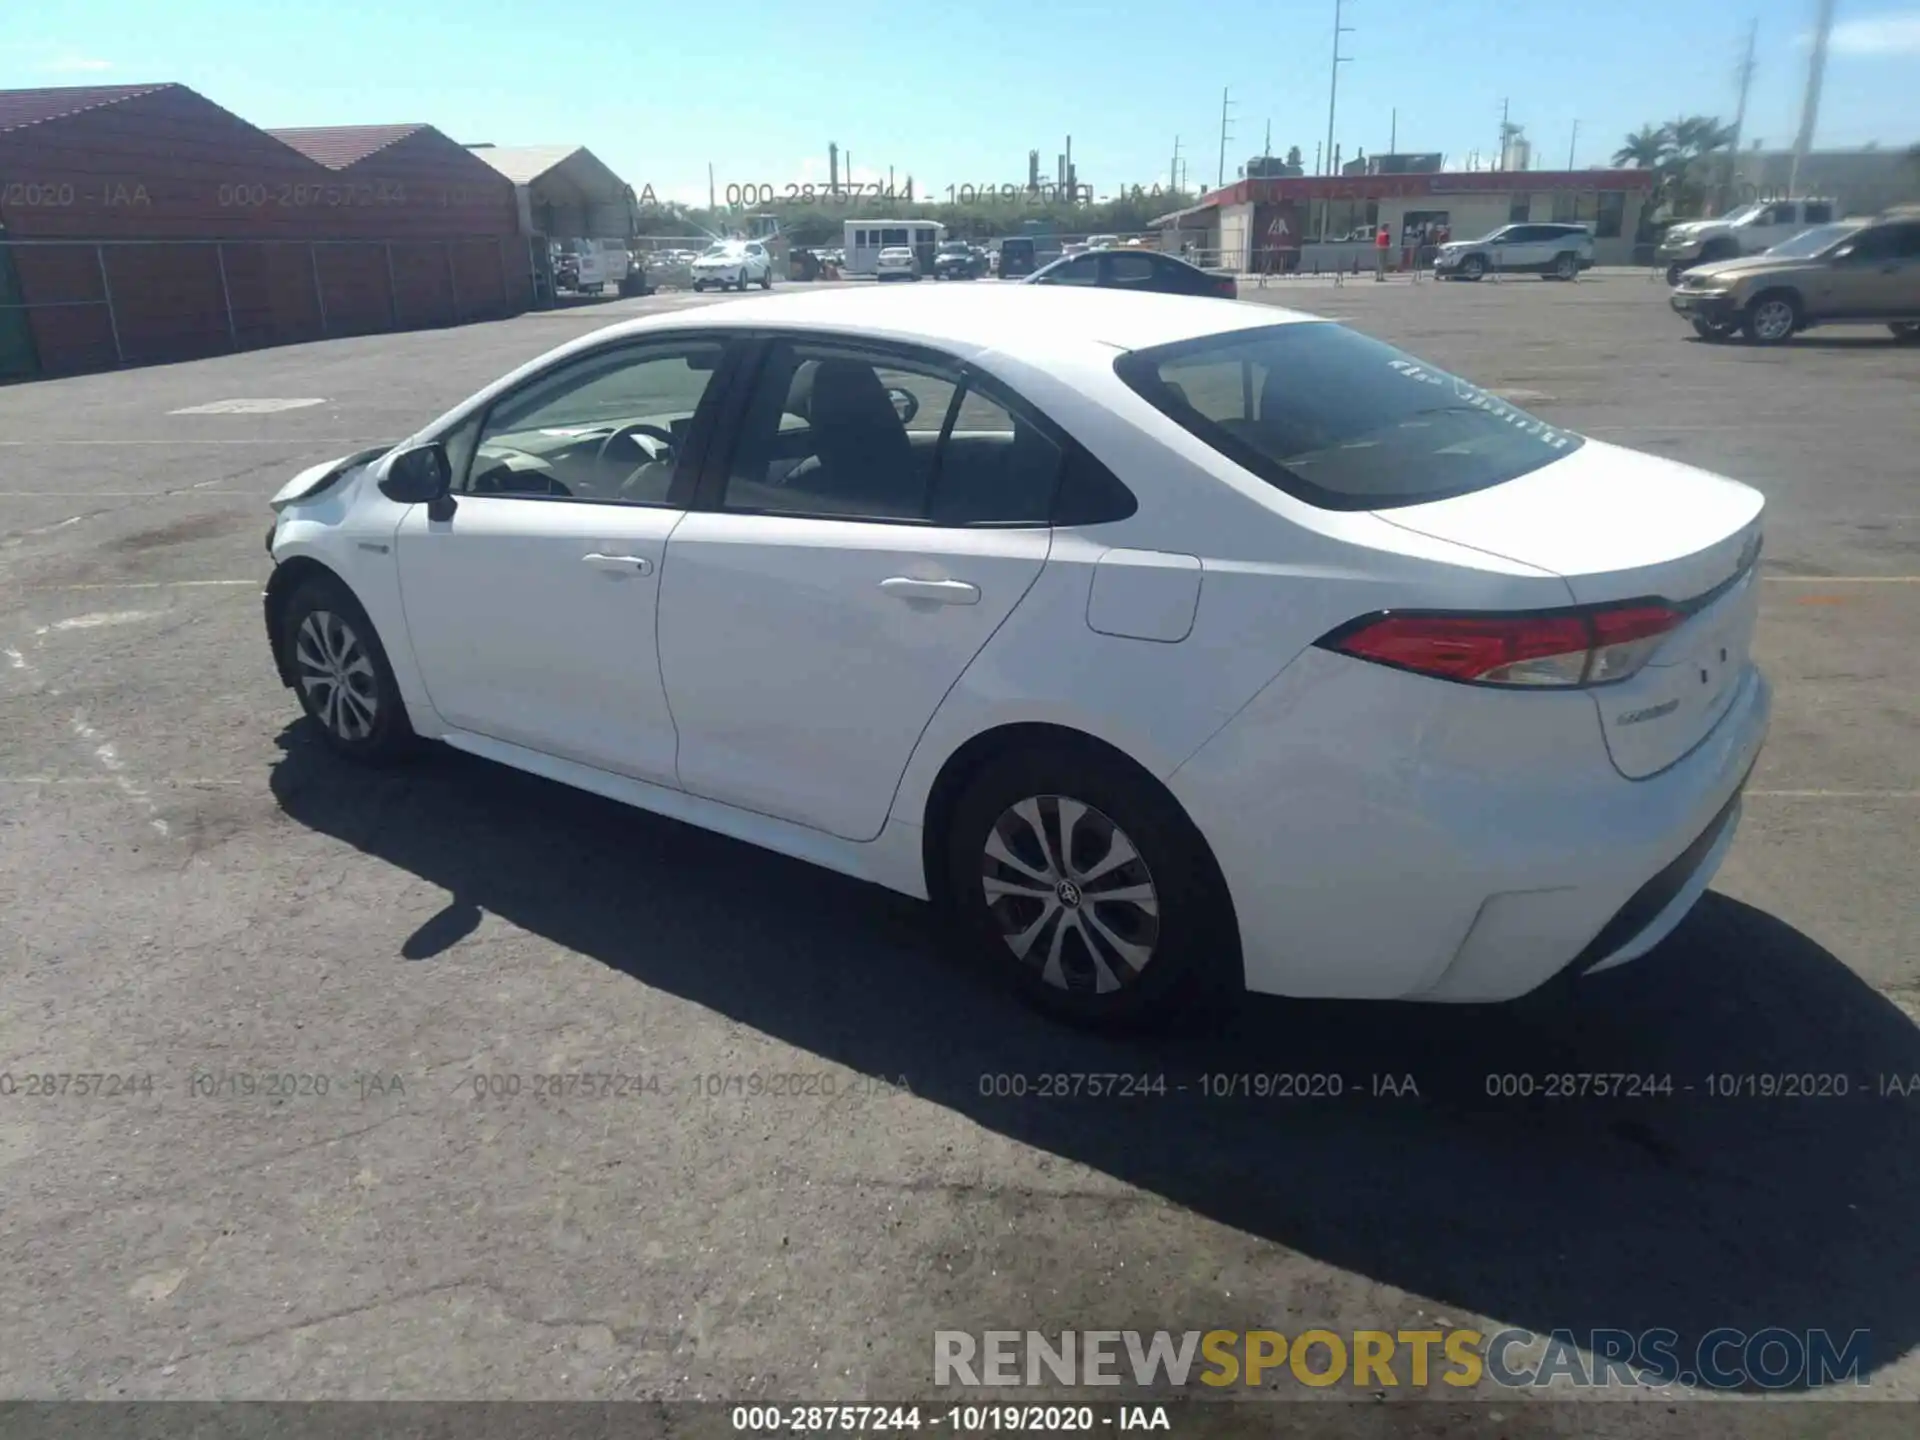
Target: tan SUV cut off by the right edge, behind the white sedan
pixel 1848 274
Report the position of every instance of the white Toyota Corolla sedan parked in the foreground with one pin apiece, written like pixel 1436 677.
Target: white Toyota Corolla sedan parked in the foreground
pixel 1161 642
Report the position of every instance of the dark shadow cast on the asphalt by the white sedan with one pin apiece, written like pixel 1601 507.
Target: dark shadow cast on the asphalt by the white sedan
pixel 1691 1211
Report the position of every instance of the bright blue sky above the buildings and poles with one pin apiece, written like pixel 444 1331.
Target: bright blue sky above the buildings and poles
pixel 959 91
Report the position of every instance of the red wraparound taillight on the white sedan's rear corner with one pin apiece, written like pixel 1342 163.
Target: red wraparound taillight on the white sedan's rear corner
pixel 1572 648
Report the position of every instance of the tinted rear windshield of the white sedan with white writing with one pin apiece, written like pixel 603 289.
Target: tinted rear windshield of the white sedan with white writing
pixel 1341 421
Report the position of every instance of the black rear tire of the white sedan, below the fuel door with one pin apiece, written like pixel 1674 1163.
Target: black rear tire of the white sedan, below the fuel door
pixel 1186 930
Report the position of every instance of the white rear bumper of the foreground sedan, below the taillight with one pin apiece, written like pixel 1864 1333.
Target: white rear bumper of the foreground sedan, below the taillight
pixel 1387 836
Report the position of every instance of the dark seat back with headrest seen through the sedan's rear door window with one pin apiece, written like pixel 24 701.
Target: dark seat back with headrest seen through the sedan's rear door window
pixel 861 450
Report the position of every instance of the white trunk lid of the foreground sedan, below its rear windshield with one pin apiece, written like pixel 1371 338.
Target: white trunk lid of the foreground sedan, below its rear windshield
pixel 1620 527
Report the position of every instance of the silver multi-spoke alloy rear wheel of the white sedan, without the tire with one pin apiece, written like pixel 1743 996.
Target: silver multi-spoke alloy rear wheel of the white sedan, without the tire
pixel 1070 896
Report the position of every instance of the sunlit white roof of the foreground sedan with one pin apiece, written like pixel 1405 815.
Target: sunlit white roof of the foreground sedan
pixel 982 318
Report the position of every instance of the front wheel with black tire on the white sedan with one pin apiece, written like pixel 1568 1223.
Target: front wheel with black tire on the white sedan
pixel 327 633
